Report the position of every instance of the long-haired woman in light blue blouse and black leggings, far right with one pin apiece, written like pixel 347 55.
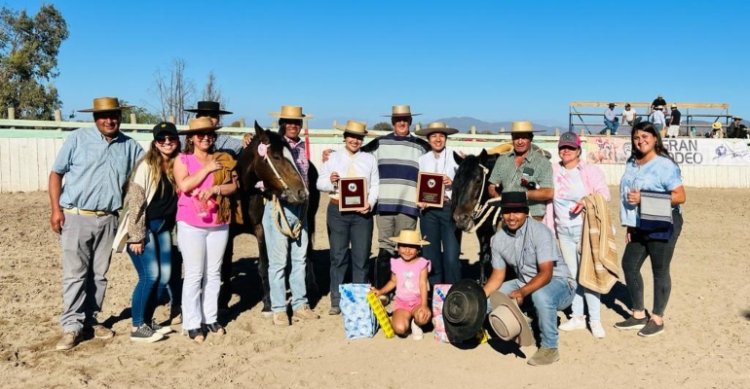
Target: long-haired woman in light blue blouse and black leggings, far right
pixel 649 173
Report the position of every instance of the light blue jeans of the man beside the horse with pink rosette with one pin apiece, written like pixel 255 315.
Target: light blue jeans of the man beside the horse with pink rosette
pixel 279 248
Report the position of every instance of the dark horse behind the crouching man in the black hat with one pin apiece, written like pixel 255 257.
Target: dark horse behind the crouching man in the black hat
pixel 472 209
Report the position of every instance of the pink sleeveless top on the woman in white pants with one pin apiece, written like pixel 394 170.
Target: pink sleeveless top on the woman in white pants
pixel 189 208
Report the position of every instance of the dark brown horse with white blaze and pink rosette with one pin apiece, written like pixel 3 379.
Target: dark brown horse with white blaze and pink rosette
pixel 267 158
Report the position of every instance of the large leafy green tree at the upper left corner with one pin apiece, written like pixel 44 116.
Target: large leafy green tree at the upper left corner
pixel 29 46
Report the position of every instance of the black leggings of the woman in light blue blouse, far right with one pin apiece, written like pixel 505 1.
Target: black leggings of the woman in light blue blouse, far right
pixel 636 251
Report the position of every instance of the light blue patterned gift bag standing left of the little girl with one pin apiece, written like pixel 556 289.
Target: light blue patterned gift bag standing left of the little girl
pixel 359 321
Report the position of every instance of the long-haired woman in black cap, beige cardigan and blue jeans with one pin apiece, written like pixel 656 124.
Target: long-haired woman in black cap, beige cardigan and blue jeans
pixel 151 205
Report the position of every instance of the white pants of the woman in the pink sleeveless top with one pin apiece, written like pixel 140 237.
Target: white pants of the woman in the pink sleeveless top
pixel 202 250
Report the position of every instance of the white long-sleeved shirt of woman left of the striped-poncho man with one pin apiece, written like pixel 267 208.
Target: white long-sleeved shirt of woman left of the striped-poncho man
pixel 361 165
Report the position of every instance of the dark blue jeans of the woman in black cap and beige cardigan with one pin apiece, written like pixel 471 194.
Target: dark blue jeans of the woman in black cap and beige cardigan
pixel 154 267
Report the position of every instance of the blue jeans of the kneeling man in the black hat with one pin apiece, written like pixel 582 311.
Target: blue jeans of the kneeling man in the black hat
pixel 553 297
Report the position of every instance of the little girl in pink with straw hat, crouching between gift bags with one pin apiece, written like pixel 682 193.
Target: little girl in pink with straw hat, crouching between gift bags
pixel 409 277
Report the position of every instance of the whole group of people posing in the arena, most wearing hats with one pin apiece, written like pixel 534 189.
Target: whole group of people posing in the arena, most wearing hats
pixel 187 183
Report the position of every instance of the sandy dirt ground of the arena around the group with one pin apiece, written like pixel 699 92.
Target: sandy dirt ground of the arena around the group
pixel 705 344
